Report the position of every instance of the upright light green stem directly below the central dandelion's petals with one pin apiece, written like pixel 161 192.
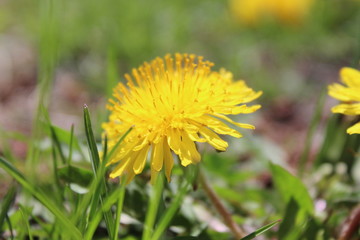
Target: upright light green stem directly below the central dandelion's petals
pixel 153 207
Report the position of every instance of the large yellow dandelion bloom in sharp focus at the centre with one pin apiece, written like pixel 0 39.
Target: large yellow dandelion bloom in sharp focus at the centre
pixel 171 104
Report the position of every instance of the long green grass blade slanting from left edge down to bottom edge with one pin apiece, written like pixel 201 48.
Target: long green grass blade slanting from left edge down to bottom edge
pixel 42 198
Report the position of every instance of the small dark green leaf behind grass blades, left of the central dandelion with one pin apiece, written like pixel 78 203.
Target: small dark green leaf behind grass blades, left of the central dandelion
pixel 72 174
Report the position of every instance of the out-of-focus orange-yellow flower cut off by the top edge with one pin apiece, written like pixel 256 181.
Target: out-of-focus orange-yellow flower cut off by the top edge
pixel 251 12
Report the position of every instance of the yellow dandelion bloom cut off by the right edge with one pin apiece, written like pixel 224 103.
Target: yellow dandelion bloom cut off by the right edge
pixel 349 95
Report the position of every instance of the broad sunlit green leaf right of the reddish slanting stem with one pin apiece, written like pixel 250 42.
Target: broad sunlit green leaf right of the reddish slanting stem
pixel 290 186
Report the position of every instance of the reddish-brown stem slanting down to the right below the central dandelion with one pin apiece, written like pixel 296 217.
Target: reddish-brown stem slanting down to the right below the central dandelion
pixel 235 229
